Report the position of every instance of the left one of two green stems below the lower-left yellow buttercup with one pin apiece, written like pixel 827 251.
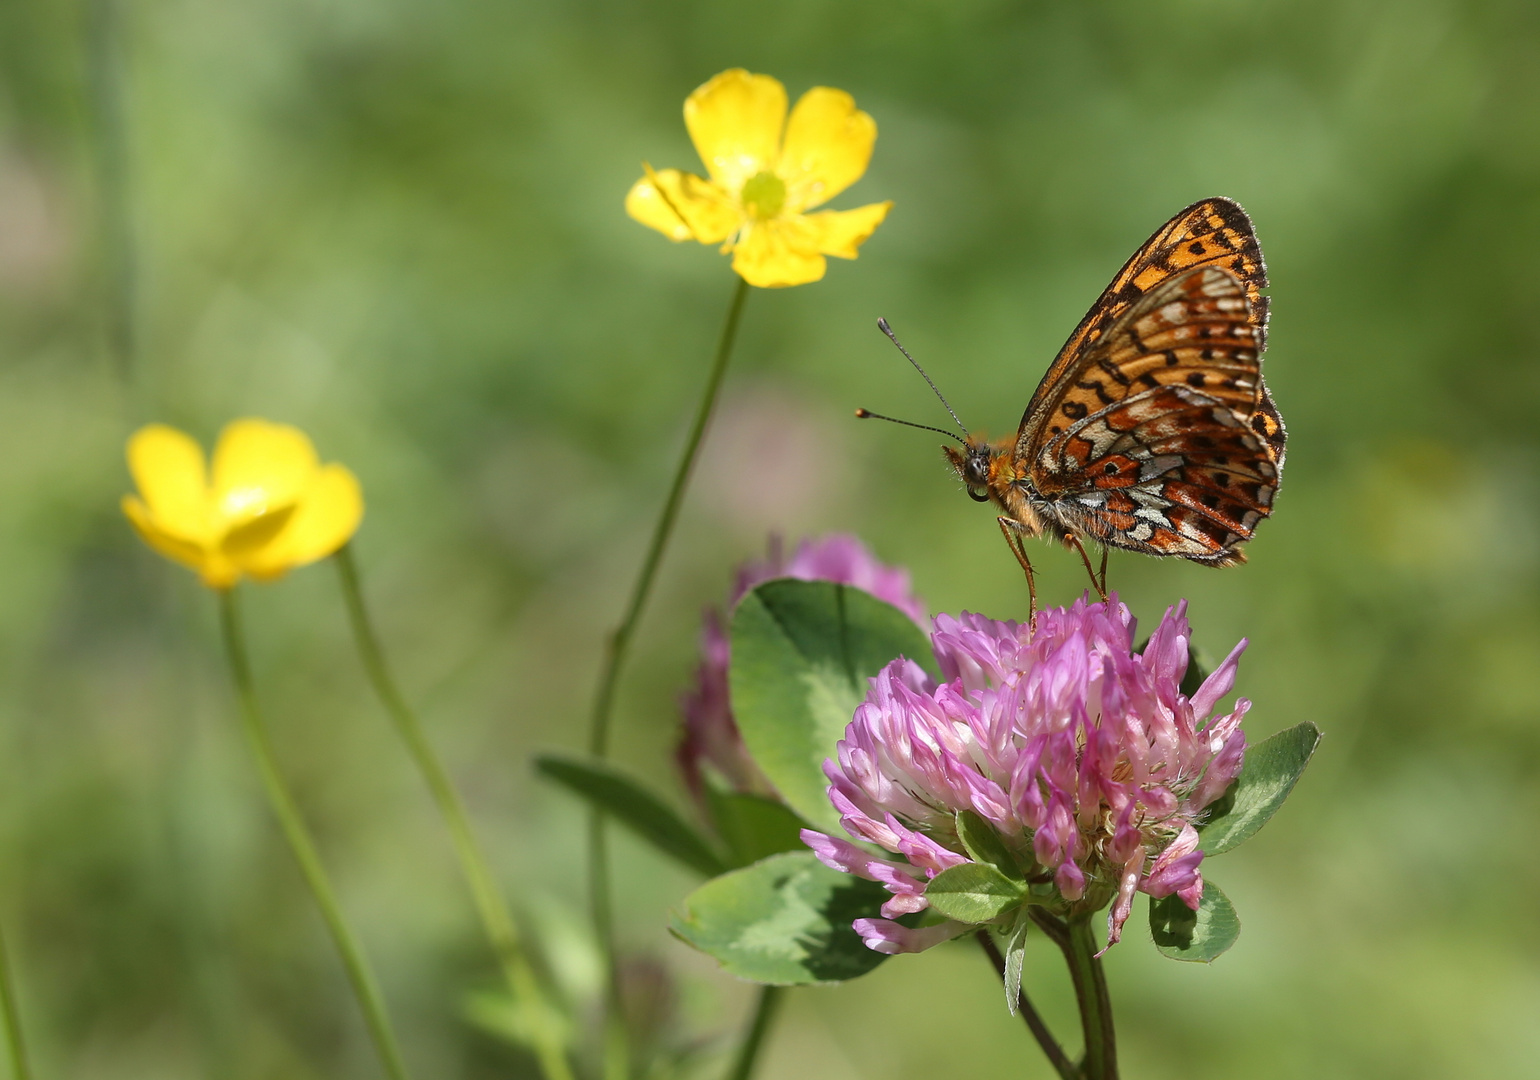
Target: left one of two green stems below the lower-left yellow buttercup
pixel 303 847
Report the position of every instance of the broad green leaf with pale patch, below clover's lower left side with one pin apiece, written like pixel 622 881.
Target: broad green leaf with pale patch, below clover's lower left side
pixel 783 922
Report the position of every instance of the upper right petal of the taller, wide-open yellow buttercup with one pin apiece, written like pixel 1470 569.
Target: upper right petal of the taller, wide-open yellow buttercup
pixel 828 147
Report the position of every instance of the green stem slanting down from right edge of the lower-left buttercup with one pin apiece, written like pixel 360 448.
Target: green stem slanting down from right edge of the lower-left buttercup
pixel 492 907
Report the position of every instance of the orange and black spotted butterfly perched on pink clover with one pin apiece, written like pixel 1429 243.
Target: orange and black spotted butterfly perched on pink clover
pixel 1153 431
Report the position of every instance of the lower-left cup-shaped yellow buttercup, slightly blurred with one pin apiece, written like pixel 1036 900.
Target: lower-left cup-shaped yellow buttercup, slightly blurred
pixel 270 505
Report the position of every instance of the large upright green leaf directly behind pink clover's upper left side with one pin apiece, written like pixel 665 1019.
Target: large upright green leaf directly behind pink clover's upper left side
pixel 803 652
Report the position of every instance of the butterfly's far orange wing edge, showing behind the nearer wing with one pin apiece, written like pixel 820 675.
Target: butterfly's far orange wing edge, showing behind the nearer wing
pixel 1208 233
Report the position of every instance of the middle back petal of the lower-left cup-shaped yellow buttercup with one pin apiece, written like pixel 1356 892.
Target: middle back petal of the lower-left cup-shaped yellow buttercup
pixel 261 468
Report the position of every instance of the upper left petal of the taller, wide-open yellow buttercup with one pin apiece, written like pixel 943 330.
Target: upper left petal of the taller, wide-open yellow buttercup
pixel 735 122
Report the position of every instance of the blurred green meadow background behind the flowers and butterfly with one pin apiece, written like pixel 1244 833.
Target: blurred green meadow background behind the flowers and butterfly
pixel 398 224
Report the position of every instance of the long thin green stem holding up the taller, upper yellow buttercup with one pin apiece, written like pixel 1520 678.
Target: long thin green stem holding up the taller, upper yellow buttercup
pixel 617 648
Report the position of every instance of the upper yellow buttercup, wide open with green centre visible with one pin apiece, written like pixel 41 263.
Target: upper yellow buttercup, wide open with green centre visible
pixel 762 183
